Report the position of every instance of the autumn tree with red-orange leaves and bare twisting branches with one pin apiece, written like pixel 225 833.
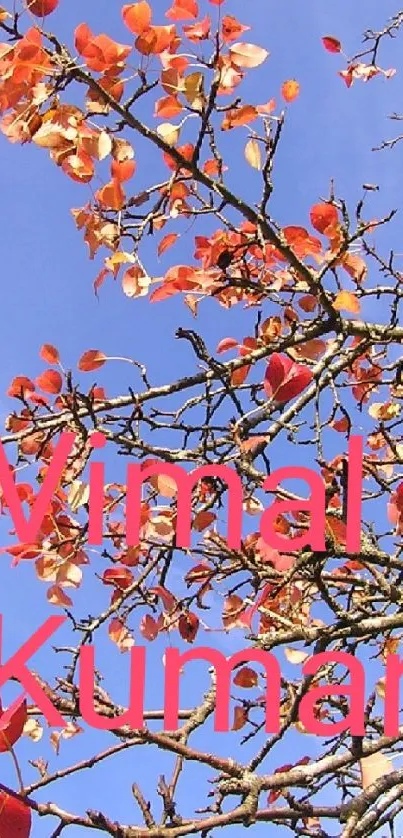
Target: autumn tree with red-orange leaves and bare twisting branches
pixel 320 366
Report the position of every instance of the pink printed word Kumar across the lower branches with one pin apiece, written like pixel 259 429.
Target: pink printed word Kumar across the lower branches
pixel 133 717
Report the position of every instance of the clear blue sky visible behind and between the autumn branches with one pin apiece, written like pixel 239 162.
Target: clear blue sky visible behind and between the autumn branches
pixel 47 293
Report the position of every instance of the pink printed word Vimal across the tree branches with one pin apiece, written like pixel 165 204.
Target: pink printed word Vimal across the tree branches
pixel 137 473
